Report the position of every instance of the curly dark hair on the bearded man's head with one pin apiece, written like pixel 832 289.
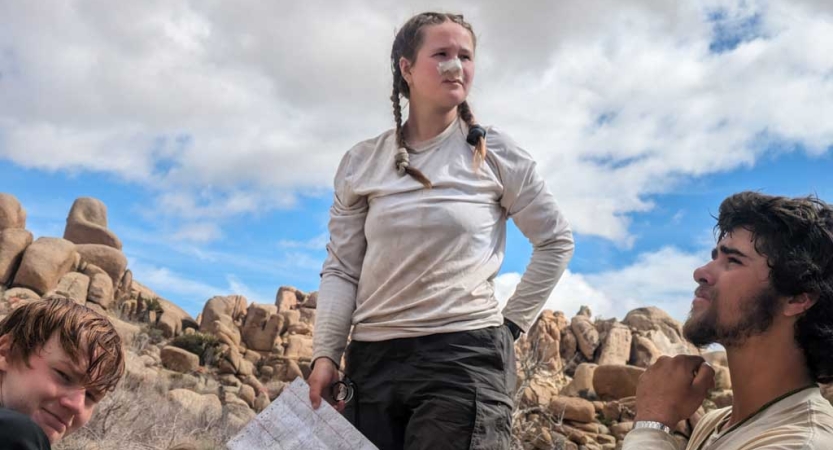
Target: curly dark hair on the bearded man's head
pixel 796 236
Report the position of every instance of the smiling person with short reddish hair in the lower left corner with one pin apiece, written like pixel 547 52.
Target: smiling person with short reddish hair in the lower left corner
pixel 58 359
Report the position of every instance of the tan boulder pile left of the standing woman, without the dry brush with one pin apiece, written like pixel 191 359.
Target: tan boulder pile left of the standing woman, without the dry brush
pixel 232 360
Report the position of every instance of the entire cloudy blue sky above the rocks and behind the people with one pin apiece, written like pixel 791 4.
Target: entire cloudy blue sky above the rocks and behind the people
pixel 212 135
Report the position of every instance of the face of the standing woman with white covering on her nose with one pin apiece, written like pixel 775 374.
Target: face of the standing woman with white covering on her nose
pixel 428 87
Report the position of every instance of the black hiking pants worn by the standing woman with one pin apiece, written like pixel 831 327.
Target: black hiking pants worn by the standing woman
pixel 442 391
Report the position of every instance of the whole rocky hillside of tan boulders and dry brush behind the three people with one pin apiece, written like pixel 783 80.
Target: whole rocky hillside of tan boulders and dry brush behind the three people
pixel 577 376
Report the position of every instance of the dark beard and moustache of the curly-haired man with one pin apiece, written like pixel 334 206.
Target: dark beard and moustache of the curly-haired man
pixel 759 311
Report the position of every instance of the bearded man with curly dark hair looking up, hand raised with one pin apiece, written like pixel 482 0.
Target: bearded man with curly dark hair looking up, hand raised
pixel 767 297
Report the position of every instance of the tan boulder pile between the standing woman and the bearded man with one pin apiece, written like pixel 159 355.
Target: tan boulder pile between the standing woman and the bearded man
pixel 578 377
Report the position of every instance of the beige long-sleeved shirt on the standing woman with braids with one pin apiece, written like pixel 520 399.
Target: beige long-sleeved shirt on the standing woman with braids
pixel 405 261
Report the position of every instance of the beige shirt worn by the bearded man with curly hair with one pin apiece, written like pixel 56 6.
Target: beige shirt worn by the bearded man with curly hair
pixel 801 421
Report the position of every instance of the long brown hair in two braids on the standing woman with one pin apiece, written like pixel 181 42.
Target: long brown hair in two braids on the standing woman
pixel 406 44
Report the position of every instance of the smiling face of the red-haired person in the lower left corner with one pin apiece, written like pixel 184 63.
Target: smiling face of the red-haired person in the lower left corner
pixel 50 389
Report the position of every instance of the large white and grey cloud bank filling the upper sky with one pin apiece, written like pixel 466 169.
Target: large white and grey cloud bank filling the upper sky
pixel 234 109
